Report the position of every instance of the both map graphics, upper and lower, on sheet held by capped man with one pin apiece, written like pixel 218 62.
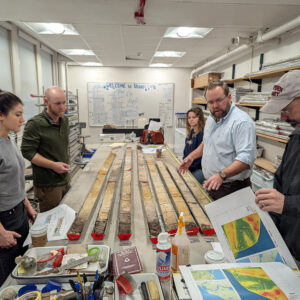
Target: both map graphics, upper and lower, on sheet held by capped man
pixel 249 238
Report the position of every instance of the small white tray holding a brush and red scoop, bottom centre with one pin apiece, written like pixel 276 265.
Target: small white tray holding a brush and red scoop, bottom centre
pixel 137 294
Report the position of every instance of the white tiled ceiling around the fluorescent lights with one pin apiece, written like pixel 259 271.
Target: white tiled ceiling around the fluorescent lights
pixel 109 29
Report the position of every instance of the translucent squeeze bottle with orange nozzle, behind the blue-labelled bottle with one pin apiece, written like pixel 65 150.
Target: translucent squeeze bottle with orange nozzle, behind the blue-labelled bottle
pixel 180 246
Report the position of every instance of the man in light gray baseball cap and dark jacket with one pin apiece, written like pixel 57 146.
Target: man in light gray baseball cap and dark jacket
pixel 283 201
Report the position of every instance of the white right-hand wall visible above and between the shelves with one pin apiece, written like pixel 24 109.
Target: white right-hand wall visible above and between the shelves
pixel 276 50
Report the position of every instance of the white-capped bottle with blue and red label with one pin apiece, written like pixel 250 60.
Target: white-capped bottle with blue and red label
pixel 163 256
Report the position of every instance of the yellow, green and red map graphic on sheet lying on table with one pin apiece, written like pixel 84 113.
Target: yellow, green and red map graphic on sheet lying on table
pixel 254 281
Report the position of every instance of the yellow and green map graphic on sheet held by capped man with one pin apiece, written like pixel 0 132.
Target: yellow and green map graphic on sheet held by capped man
pixel 247 236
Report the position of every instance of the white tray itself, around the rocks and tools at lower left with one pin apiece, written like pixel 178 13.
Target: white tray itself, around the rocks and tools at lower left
pixel 60 278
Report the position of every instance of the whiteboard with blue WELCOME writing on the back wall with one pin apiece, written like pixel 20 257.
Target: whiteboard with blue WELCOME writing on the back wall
pixel 120 103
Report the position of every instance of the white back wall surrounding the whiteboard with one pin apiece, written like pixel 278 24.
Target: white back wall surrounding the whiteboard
pixel 78 77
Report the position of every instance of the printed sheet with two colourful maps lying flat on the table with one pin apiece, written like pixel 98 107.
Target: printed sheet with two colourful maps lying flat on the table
pixel 241 281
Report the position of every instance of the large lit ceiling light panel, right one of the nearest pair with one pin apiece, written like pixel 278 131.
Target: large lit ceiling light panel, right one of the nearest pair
pixel 187 32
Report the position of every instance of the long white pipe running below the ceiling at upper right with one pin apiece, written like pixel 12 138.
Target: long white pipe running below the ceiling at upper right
pixel 260 39
